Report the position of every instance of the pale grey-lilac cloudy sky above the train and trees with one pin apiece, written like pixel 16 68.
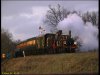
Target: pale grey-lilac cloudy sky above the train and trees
pixel 23 18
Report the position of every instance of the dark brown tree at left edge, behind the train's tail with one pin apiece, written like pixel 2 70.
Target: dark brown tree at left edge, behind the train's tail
pixel 6 41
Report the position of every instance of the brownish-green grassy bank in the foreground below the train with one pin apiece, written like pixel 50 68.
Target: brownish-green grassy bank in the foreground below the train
pixel 66 63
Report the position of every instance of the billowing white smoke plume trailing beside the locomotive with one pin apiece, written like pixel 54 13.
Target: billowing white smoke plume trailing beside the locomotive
pixel 87 33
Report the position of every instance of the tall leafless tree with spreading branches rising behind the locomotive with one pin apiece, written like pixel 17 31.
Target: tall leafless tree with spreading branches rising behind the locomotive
pixel 55 15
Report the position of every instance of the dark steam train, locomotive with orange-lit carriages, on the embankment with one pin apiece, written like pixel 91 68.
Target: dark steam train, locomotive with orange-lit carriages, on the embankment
pixel 46 44
